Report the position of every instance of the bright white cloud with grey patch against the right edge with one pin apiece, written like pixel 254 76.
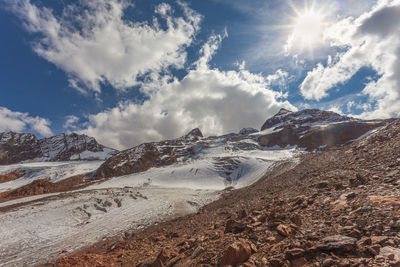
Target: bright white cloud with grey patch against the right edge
pixel 371 40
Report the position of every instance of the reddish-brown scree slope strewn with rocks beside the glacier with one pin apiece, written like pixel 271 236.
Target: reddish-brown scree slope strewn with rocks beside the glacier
pixel 336 208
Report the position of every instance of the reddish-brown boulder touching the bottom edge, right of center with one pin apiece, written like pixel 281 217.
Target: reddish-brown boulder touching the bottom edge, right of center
pixel 236 253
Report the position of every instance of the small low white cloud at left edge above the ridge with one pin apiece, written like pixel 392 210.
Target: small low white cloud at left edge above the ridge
pixel 19 122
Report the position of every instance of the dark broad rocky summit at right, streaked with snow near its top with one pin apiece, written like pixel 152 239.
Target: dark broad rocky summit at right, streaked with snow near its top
pixel 313 129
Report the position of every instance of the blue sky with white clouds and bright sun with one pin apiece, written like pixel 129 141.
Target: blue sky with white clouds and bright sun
pixel 134 71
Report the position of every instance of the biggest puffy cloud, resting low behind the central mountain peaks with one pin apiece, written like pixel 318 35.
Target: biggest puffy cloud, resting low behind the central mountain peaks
pixel 216 101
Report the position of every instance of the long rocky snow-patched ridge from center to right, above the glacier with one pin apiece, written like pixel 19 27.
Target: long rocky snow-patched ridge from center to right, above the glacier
pixel 308 129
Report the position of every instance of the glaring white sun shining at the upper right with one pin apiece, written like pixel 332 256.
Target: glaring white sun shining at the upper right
pixel 306 29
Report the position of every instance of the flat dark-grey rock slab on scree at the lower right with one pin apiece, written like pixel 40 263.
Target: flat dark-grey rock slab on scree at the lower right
pixel 338 244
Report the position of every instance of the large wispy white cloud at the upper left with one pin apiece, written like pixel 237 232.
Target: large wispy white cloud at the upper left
pixel 94 44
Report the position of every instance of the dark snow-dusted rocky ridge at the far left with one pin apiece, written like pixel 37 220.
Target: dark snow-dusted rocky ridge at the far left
pixel 18 147
